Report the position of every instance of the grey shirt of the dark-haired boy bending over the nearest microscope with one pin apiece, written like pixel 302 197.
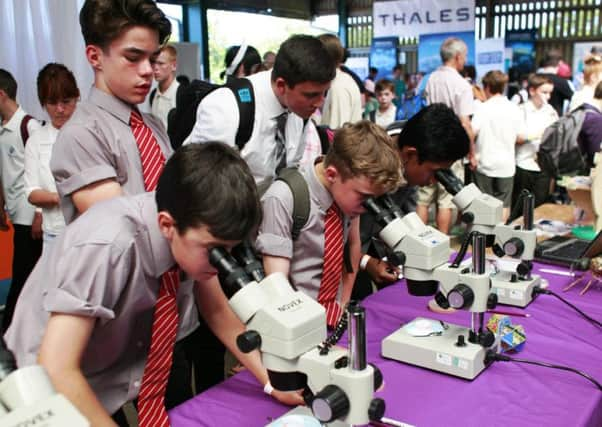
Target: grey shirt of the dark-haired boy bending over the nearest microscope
pixel 107 264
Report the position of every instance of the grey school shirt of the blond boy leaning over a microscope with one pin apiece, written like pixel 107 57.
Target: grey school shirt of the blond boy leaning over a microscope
pixel 306 254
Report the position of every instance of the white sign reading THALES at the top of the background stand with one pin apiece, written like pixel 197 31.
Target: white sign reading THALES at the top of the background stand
pixel 410 18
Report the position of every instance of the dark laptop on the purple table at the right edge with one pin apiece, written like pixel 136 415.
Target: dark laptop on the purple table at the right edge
pixel 568 251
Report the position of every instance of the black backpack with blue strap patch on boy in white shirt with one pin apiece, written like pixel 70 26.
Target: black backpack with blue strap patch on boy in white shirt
pixel 181 119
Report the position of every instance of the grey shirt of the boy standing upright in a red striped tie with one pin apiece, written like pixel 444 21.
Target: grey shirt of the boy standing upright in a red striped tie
pixel 97 143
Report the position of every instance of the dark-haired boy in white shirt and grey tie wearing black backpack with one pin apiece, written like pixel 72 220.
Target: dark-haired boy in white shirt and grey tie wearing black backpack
pixel 284 98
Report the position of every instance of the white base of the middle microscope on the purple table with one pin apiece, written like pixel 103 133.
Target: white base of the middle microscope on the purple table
pixel 437 352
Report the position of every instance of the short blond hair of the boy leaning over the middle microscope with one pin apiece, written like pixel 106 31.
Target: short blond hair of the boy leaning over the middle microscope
pixel 365 149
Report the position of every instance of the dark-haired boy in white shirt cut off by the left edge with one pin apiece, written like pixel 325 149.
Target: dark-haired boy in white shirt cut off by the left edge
pixel 15 129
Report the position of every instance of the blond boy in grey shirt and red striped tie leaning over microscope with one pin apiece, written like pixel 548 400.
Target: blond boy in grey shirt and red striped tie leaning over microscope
pixel 361 163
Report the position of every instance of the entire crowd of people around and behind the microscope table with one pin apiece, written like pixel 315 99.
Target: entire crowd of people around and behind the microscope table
pixel 112 288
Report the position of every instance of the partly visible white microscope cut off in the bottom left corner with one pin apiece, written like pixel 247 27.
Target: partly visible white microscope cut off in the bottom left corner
pixel 27 397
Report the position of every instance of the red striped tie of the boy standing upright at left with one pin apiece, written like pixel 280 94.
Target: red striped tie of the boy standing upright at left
pixel 151 156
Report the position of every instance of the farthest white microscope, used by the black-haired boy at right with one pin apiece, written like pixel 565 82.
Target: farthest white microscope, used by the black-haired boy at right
pixel 483 213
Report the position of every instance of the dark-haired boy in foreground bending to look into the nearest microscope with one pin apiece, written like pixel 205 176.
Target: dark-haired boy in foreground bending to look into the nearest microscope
pixel 87 312
